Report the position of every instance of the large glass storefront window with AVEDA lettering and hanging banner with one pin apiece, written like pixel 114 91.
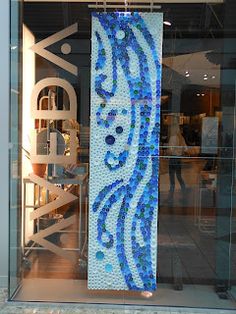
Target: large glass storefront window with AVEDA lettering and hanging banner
pixel 126 122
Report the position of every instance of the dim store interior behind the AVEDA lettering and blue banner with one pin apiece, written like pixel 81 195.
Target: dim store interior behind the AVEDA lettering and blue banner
pixel 188 240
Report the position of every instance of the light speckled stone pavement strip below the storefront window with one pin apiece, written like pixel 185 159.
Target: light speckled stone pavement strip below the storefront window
pixel 69 308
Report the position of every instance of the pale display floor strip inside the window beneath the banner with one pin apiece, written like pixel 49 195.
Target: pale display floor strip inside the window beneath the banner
pixel 76 291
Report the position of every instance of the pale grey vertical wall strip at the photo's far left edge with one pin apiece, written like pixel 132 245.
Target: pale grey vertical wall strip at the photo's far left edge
pixel 4 126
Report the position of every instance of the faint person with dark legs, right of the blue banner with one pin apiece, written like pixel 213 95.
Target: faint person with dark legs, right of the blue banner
pixel 176 149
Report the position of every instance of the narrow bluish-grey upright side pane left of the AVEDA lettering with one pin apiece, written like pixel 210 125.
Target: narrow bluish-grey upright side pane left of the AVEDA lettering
pixel 15 159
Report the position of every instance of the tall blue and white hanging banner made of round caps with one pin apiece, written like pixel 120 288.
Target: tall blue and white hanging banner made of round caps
pixel 124 150
